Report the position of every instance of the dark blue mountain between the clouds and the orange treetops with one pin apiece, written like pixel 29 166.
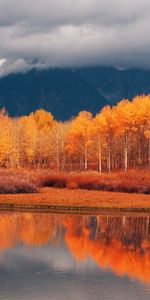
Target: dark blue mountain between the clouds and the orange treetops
pixel 65 92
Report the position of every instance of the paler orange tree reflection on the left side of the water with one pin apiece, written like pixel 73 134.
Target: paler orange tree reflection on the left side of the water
pixel 29 228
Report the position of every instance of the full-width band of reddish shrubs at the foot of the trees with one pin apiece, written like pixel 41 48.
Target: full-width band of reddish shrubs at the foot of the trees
pixel 29 181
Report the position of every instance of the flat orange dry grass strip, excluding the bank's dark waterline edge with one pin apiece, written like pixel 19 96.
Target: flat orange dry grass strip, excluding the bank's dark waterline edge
pixel 78 198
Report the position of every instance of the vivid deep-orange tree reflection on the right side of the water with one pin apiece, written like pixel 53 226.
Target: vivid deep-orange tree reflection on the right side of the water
pixel 120 244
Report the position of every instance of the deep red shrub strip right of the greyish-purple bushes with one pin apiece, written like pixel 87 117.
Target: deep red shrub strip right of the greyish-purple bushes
pixel 133 181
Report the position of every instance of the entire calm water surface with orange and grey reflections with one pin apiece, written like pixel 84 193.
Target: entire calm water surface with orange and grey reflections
pixel 68 257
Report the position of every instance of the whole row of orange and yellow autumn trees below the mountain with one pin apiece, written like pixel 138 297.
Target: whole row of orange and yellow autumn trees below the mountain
pixel 117 138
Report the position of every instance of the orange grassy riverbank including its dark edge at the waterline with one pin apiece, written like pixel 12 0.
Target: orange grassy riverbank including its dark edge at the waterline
pixel 75 201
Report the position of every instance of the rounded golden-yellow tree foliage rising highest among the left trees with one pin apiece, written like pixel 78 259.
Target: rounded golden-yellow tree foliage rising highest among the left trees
pixel 35 135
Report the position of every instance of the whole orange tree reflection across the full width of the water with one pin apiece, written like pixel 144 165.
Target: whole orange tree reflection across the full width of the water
pixel 121 244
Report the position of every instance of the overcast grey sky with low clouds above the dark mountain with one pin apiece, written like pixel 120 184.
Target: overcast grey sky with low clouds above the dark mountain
pixel 56 33
